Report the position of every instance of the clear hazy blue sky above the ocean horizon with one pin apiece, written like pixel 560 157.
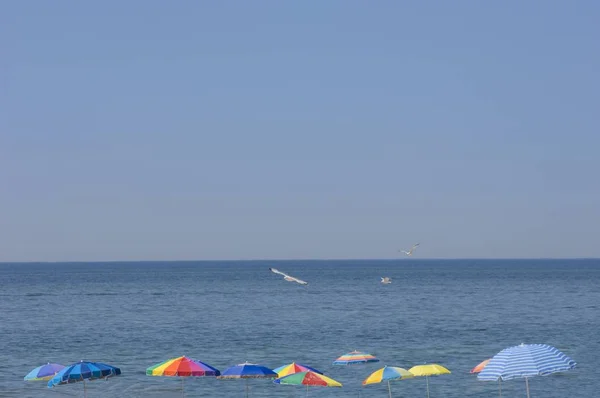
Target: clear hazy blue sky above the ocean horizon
pixel 190 130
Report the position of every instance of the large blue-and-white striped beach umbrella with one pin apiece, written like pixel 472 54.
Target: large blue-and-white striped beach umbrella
pixel 526 360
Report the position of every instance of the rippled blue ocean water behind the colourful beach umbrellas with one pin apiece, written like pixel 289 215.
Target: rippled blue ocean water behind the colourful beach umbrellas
pixel 452 312
